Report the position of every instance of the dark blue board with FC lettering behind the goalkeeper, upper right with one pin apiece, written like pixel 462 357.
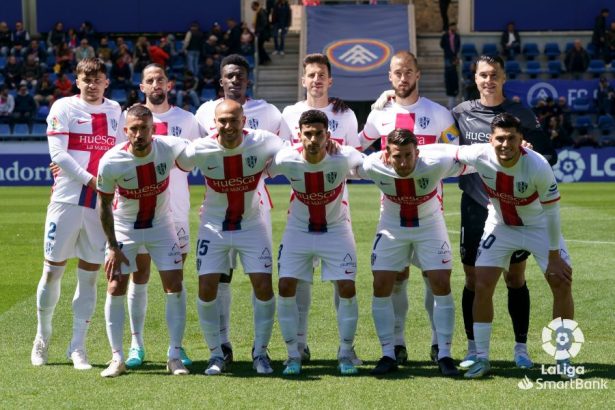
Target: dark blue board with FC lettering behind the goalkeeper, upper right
pixel 530 90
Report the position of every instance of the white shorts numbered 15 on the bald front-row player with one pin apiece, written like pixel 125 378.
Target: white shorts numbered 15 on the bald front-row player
pixel 214 249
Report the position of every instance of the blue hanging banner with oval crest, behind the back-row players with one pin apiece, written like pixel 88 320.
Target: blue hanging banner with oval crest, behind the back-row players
pixel 359 41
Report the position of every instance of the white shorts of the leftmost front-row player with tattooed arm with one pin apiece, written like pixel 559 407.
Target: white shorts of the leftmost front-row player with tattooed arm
pixel 159 241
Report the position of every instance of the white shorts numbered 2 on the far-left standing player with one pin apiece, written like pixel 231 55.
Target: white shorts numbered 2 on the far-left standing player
pixel 73 231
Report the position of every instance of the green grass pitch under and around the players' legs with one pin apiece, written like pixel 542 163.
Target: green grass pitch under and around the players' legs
pixel 588 223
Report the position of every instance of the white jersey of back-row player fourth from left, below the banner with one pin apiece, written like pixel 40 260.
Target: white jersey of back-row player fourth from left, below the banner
pixel 342 125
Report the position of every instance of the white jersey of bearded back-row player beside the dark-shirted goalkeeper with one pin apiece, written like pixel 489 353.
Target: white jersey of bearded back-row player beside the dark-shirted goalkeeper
pixel 429 121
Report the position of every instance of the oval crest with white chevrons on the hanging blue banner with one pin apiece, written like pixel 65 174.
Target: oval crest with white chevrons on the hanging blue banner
pixel 358 54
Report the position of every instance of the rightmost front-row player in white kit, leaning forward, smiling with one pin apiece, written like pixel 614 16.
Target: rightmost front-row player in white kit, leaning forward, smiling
pixel 522 213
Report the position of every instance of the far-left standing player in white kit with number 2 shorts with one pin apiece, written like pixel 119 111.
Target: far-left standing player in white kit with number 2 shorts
pixel 80 130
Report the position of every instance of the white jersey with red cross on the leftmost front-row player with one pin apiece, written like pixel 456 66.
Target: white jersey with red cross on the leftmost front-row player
pixel 142 195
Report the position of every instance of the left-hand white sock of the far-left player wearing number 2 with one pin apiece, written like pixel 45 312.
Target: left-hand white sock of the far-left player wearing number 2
pixel 47 296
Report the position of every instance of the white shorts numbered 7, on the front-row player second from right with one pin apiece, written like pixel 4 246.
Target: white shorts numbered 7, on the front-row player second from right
pixel 426 247
